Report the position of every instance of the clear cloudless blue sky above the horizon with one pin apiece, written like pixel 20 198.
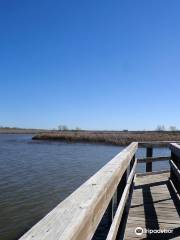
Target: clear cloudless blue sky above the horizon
pixel 95 64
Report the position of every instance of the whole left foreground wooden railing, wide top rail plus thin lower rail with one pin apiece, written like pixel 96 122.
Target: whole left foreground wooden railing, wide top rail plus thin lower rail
pixel 79 215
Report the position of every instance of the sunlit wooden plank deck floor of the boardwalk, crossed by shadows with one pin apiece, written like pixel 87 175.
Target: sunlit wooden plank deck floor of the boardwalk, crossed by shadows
pixel 155 205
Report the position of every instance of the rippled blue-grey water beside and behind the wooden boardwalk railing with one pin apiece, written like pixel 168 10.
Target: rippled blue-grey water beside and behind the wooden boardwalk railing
pixel 36 175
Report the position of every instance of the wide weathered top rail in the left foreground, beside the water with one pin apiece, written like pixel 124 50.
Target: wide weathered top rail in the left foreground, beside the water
pixel 77 217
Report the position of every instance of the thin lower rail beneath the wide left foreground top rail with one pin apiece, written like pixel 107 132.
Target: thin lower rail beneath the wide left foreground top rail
pixel 117 219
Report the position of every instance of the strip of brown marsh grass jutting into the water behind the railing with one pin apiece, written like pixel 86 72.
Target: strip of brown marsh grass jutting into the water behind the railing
pixel 118 138
